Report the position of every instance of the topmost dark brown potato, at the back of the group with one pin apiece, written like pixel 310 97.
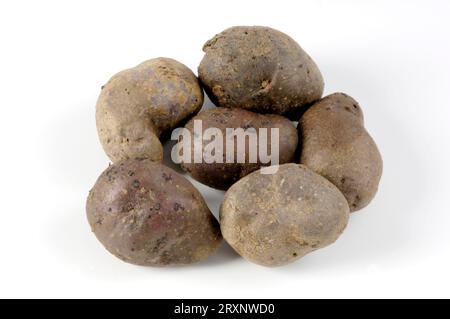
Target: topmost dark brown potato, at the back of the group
pixel 259 69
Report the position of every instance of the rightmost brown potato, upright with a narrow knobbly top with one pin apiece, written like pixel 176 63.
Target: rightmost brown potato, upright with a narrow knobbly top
pixel 337 146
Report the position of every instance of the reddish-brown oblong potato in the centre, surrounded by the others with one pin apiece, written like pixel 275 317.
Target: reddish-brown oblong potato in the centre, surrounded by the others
pixel 223 174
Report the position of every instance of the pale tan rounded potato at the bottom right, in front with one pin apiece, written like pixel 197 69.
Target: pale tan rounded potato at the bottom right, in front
pixel 273 220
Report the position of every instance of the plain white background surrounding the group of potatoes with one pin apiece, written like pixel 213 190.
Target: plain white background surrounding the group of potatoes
pixel 392 56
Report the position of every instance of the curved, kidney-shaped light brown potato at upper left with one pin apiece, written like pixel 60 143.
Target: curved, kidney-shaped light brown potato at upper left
pixel 139 105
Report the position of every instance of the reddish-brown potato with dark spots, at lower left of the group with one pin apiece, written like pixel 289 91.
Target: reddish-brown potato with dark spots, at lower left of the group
pixel 147 214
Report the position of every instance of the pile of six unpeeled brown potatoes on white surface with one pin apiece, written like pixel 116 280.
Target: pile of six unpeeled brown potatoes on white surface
pixel 329 166
